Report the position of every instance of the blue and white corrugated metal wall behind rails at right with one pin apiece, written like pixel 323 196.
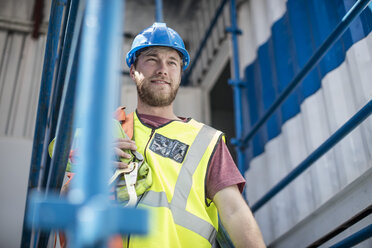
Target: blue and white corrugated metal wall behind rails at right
pixel 278 38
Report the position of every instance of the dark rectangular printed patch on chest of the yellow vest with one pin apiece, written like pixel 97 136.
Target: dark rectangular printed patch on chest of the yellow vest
pixel 169 148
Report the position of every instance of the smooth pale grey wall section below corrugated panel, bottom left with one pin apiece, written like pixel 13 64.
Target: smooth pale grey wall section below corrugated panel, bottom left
pixel 15 156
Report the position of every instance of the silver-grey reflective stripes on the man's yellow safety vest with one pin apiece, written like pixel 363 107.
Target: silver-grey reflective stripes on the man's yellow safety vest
pixel 182 189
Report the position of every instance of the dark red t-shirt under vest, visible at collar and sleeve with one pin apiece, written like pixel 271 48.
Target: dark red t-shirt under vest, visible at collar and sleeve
pixel 222 170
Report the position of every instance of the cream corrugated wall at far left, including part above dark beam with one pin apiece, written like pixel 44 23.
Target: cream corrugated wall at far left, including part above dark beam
pixel 21 59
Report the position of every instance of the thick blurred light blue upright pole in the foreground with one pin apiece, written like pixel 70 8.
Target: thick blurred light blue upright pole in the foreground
pixel 97 81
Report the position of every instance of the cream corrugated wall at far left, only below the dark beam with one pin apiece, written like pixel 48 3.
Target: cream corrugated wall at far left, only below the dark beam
pixel 20 70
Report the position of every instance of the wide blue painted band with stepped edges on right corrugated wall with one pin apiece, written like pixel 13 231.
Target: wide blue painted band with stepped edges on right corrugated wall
pixel 294 38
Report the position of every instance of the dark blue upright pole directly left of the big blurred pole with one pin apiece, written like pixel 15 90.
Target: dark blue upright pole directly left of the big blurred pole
pixel 67 78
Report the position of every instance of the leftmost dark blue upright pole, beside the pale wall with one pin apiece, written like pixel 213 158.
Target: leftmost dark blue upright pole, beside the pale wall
pixel 43 106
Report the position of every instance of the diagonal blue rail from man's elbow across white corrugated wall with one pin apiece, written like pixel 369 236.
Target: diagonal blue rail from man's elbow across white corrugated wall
pixel 352 123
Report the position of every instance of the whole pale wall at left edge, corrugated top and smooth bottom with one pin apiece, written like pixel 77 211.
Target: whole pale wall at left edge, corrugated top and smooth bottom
pixel 21 60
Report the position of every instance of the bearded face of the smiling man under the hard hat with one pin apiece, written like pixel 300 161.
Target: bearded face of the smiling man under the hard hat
pixel 157 75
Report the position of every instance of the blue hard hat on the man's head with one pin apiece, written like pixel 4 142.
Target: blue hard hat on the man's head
pixel 158 35
